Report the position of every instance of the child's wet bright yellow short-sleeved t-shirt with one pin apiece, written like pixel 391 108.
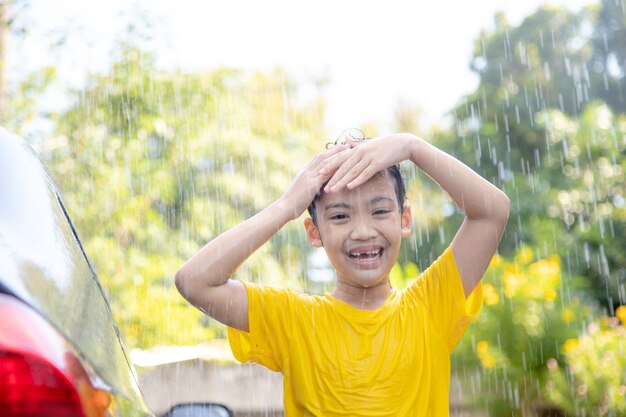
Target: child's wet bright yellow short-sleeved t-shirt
pixel 338 360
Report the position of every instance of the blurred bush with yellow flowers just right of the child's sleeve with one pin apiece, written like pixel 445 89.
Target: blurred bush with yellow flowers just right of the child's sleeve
pixel 531 307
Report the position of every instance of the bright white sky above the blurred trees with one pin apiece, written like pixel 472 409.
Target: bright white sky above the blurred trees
pixel 374 53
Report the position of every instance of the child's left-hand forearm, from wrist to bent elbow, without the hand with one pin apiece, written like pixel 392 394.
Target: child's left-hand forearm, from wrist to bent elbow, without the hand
pixel 215 263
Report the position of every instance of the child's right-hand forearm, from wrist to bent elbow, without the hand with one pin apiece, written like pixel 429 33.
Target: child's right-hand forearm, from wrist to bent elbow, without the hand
pixel 475 196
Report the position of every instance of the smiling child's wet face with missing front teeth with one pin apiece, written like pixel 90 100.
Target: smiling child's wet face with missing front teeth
pixel 361 230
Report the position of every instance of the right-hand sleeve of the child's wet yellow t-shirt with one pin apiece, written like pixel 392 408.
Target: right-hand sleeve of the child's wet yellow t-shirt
pixel 440 289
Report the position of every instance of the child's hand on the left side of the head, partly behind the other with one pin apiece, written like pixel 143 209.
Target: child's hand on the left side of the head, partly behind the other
pixel 300 194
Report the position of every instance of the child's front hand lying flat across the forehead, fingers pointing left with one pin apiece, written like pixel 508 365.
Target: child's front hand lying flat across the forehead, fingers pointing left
pixel 364 159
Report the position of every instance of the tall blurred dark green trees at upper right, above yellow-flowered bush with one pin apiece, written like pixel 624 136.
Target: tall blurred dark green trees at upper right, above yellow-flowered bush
pixel 539 125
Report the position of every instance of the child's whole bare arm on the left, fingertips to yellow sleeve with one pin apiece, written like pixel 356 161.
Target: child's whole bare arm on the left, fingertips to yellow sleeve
pixel 204 280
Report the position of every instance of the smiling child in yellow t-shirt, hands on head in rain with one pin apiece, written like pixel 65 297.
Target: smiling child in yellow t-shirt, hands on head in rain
pixel 365 348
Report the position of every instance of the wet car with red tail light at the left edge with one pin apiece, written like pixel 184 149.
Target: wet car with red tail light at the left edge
pixel 61 353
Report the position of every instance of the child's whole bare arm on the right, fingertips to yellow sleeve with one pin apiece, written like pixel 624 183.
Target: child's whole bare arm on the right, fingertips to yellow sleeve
pixel 485 206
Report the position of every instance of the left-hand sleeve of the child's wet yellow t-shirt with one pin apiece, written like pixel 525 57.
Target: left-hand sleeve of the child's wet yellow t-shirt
pixel 268 316
